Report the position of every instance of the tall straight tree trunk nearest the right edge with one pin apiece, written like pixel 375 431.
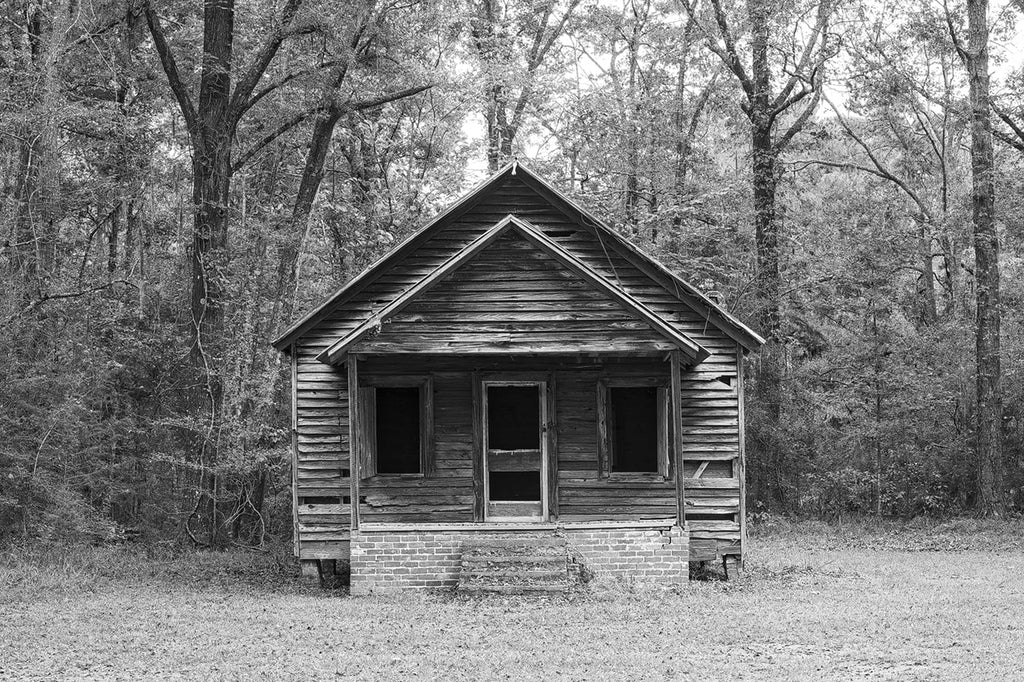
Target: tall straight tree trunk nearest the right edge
pixel 987 250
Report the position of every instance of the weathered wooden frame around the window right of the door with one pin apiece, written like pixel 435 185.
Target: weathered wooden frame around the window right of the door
pixel 606 447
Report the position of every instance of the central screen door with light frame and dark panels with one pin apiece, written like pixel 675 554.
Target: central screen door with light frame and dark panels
pixel 516 455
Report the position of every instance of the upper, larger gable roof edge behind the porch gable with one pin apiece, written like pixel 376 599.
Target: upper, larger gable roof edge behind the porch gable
pixel 676 286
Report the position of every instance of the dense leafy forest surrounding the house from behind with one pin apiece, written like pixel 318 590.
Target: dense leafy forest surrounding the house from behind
pixel 182 181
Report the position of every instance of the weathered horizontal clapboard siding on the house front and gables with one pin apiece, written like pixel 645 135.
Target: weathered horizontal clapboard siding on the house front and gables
pixel 487 319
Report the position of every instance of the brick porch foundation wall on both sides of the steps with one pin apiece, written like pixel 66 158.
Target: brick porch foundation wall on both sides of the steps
pixel 389 559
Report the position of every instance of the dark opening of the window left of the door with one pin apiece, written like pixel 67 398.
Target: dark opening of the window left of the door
pixel 398 431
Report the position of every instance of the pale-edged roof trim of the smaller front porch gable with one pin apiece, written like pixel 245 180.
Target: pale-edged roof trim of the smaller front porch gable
pixel 694 351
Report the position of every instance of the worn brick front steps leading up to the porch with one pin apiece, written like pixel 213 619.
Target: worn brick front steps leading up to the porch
pixel 515 566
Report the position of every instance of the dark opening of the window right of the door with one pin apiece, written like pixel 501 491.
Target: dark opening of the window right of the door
pixel 634 429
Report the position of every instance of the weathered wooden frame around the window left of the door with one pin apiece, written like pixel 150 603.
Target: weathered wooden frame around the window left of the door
pixel 368 427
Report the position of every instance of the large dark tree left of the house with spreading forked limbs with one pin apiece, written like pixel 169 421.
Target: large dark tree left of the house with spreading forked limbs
pixel 215 116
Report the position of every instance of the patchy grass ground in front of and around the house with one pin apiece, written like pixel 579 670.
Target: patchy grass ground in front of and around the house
pixel 818 603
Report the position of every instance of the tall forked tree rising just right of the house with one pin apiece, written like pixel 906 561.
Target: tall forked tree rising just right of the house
pixel 778 40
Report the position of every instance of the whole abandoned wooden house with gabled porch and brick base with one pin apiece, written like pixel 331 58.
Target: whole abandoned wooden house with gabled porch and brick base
pixel 515 398
